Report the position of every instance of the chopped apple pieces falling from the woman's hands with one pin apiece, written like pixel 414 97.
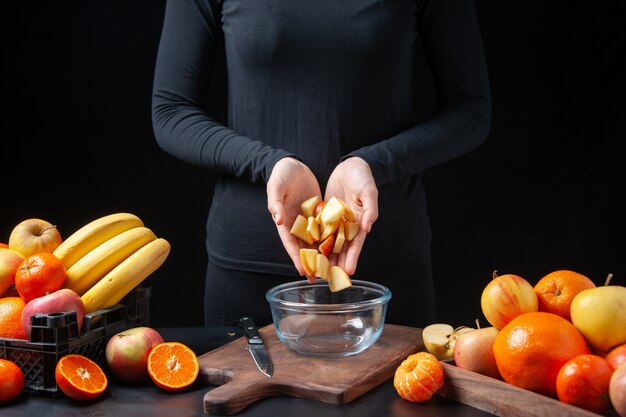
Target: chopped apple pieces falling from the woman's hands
pixel 328 225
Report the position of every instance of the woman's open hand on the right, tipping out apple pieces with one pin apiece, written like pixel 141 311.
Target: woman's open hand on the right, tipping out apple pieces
pixel 352 181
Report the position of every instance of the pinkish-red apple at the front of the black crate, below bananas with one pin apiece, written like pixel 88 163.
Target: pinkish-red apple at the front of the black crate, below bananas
pixel 56 302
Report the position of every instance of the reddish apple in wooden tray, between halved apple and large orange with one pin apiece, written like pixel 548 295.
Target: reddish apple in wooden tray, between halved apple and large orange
pixel 474 351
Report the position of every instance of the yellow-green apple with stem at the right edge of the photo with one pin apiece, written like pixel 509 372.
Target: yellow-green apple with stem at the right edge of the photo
pixel 600 315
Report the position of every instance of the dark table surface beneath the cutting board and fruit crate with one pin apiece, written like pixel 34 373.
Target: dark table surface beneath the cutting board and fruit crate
pixel 148 400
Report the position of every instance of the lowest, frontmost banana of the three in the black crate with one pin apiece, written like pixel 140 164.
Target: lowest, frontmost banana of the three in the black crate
pixel 115 285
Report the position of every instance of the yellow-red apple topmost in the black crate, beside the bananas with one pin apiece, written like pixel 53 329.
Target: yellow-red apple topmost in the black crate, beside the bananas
pixel 34 236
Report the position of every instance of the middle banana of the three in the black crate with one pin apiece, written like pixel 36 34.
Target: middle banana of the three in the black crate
pixel 88 270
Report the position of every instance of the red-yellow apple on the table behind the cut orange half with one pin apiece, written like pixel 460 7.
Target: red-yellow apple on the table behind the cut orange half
pixel 127 353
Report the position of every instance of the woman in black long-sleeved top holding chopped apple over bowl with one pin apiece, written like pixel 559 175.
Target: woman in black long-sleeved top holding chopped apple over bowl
pixel 324 98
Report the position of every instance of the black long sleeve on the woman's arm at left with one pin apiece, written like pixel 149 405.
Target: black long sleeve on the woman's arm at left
pixel 188 49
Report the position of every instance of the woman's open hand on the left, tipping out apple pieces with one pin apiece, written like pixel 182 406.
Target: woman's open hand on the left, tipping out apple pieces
pixel 290 183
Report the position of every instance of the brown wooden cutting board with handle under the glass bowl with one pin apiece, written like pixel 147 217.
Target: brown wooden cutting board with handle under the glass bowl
pixel 331 380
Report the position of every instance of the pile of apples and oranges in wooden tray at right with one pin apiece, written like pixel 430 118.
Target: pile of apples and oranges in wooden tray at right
pixel 564 338
